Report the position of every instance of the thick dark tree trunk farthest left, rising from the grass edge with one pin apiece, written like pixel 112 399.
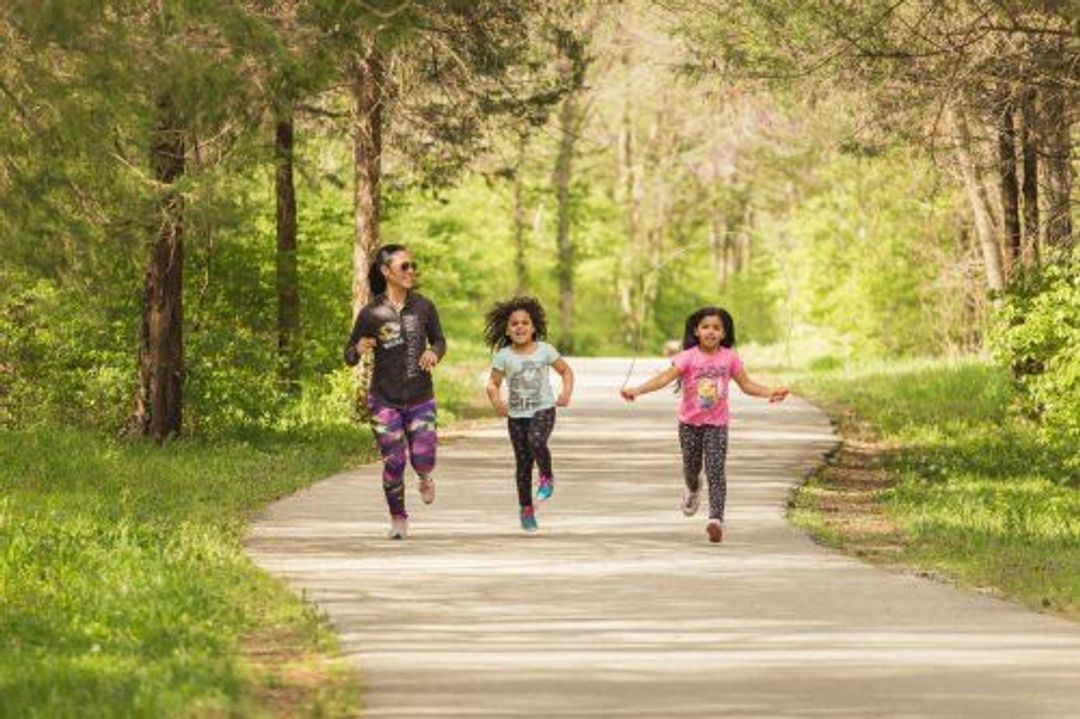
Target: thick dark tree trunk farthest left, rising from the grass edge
pixel 159 402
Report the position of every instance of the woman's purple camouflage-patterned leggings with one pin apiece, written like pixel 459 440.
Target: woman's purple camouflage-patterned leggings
pixel 398 429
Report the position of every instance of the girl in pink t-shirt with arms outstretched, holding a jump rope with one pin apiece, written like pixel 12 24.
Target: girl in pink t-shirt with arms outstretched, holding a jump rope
pixel 705 369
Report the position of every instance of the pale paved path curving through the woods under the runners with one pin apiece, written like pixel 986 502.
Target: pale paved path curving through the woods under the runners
pixel 619 607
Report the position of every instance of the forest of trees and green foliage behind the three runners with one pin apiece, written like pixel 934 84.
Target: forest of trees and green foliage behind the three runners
pixel 192 191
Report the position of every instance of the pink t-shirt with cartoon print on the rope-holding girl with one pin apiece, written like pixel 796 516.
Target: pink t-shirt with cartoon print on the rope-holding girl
pixel 706 379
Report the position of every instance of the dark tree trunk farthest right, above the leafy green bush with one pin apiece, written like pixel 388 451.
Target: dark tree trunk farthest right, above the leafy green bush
pixel 1058 144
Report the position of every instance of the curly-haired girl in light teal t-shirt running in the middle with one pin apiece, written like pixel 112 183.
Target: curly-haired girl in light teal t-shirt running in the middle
pixel 516 331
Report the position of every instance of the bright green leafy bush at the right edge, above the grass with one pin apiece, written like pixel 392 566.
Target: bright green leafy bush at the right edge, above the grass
pixel 1037 334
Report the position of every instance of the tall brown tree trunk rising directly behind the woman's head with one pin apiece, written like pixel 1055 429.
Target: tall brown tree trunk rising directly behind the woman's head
pixel 368 80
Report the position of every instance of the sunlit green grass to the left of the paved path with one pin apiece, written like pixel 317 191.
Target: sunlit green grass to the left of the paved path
pixel 124 587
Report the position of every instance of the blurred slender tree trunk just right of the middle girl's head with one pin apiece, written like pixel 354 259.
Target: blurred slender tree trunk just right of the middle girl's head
pixel 564 268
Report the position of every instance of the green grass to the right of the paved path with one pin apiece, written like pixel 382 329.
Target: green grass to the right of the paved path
pixel 979 495
